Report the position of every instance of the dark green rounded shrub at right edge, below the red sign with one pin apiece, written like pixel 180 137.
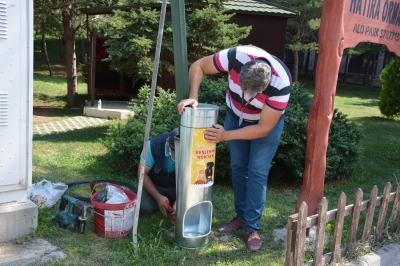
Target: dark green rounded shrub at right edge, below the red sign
pixel 389 102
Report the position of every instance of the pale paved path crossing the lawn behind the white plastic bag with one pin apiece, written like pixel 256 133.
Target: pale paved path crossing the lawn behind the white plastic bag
pixel 69 124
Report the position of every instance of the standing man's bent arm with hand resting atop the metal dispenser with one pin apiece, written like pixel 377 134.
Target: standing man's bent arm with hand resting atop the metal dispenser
pixel 197 70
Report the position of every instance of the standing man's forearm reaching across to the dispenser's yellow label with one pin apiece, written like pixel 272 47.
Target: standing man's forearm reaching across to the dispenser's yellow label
pixel 268 119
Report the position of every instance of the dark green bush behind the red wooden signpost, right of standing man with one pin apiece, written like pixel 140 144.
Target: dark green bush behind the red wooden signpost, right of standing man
pixel 343 145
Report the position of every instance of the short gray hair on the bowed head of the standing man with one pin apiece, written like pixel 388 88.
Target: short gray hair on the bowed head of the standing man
pixel 255 76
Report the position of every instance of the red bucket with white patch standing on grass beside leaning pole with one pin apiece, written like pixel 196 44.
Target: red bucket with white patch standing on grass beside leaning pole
pixel 113 220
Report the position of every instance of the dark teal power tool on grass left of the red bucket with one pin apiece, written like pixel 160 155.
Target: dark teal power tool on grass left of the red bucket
pixel 75 217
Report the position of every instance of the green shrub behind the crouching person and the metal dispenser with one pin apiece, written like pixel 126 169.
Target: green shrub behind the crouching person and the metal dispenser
pixel 124 139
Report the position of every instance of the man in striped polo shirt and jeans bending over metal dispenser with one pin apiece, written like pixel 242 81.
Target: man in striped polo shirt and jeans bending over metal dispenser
pixel 259 90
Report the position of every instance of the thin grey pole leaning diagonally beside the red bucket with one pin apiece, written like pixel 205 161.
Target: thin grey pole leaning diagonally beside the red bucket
pixel 148 124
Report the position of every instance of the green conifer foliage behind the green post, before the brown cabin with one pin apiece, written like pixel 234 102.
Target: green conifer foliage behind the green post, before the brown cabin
pixel 133 35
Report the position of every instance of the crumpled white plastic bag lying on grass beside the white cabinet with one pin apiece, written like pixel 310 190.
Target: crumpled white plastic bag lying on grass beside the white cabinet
pixel 46 194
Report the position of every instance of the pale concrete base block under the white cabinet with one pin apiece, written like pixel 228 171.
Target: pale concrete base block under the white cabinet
pixel 17 219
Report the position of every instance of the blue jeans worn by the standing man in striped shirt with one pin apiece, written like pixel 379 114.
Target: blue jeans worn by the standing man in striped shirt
pixel 250 164
